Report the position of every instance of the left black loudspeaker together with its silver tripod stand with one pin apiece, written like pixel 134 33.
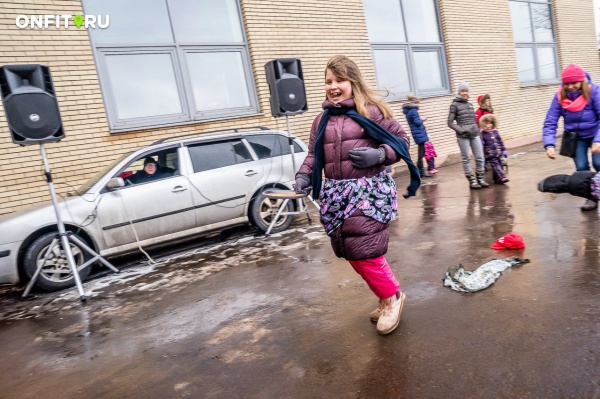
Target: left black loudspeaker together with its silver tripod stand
pixel 33 118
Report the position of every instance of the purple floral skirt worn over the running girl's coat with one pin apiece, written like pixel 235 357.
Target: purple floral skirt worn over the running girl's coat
pixel 375 196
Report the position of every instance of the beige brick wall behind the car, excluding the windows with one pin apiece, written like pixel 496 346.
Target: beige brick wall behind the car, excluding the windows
pixel 479 49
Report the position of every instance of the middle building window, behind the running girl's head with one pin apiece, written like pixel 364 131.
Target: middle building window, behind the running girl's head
pixel 407 46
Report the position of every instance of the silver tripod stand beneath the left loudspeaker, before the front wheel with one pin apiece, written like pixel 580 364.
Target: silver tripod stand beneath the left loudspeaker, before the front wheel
pixel 62 239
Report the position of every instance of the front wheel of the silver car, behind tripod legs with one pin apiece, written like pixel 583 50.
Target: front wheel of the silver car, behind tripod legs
pixel 56 273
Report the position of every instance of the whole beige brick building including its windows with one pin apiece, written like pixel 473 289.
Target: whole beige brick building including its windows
pixel 477 43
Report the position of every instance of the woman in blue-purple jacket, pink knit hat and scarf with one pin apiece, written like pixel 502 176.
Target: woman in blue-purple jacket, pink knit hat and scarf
pixel 578 102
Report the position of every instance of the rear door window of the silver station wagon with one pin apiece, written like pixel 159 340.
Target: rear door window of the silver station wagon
pixel 218 155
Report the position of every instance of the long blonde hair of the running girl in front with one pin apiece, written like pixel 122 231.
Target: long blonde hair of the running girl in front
pixel 346 69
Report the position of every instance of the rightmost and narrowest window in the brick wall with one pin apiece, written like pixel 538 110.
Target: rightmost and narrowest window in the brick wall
pixel 535 41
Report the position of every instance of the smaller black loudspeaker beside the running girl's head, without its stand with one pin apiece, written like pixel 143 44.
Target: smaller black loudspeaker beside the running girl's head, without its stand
pixel 286 85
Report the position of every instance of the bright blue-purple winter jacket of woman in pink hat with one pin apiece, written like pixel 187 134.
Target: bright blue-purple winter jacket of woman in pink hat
pixel 585 122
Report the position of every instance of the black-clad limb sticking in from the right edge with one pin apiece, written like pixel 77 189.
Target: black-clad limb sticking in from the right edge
pixel 585 184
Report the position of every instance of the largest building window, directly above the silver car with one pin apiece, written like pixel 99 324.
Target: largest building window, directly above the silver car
pixel 165 62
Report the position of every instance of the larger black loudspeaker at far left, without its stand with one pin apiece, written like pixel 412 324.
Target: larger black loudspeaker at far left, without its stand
pixel 30 104
